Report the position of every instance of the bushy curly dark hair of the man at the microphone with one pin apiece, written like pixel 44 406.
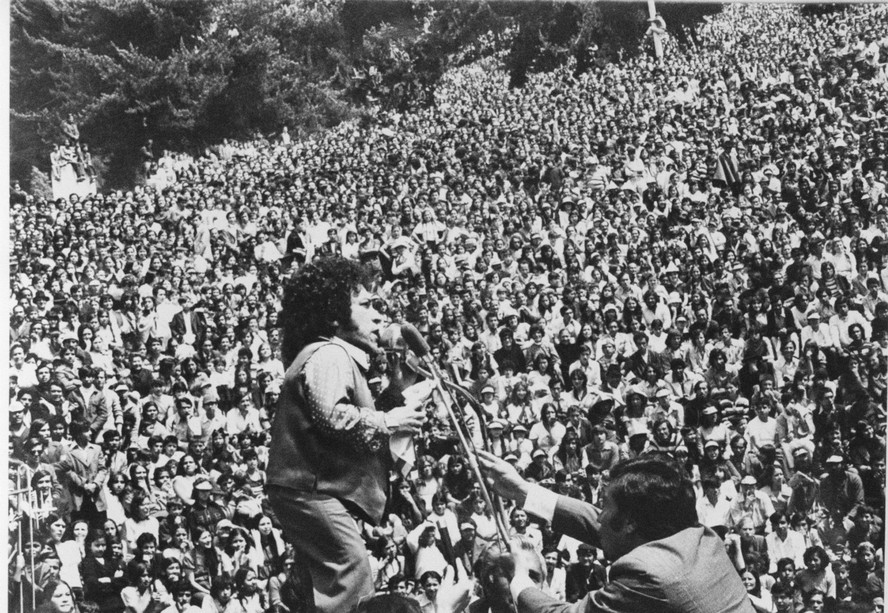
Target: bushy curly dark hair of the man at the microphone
pixel 317 297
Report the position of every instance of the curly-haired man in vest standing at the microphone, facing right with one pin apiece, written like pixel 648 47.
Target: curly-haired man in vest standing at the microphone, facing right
pixel 329 455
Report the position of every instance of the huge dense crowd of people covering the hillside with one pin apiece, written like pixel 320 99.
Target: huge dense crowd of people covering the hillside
pixel 686 257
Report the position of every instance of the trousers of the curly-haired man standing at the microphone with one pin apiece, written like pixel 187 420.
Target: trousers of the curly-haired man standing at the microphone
pixel 327 540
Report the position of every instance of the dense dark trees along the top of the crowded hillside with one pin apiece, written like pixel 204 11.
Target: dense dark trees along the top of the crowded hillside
pixel 190 73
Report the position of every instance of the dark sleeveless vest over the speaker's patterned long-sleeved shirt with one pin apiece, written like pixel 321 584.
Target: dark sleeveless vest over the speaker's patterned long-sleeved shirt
pixel 303 458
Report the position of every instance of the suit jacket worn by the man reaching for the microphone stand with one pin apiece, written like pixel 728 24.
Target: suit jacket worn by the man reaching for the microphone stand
pixel 688 572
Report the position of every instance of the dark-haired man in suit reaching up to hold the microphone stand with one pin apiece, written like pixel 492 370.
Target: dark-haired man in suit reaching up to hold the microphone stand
pixel 663 560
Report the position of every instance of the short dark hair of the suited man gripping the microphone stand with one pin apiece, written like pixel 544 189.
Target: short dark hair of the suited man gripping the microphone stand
pixel 655 493
